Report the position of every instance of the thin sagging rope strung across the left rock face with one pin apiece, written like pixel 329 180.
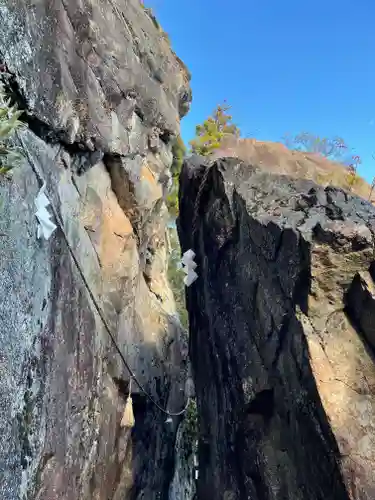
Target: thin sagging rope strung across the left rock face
pixel 91 294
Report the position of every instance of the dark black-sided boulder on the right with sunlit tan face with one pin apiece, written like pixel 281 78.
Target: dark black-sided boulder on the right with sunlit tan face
pixel 281 334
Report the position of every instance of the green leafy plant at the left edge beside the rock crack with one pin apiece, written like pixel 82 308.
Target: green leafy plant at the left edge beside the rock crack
pixel 10 155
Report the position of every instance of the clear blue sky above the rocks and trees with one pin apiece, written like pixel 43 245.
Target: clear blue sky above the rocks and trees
pixel 285 66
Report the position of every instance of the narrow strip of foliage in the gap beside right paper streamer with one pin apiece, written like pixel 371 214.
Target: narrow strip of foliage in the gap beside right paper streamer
pixel 176 276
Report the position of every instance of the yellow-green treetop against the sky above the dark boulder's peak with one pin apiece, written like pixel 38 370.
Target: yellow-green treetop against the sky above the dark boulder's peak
pixel 211 133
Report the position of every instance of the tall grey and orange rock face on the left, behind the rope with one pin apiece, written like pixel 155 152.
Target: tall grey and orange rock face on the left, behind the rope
pixel 104 94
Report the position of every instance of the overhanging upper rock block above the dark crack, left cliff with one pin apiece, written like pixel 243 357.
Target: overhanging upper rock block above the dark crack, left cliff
pixel 95 71
